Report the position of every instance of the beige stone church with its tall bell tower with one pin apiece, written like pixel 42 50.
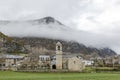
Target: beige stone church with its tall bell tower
pixel 69 62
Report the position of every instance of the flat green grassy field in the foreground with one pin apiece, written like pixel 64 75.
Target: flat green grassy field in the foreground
pixel 5 75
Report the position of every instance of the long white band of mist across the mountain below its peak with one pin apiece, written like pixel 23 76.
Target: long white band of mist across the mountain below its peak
pixel 56 31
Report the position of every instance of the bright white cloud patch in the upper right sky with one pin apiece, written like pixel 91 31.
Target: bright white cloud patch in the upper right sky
pixel 99 16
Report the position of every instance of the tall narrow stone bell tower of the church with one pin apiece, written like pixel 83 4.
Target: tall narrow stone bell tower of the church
pixel 58 56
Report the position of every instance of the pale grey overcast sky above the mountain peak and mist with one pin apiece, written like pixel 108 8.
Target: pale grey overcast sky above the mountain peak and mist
pixel 95 16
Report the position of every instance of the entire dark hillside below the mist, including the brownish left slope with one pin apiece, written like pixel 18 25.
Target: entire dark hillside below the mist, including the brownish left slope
pixel 16 45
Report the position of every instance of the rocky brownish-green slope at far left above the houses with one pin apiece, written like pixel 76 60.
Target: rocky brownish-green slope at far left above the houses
pixel 9 45
